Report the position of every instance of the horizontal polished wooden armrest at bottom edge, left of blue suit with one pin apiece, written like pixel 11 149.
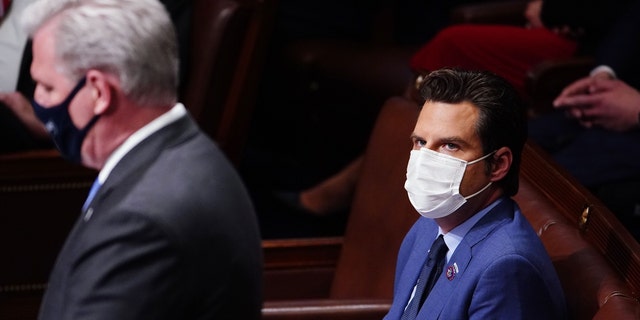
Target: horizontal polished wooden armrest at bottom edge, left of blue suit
pixel 333 309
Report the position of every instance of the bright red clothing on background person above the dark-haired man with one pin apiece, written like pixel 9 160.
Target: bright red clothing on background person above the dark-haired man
pixel 508 51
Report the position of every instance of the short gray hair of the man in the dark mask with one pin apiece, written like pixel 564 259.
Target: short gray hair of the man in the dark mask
pixel 131 39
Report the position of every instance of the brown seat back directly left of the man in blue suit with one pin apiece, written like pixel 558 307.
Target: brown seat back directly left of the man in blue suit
pixel 381 213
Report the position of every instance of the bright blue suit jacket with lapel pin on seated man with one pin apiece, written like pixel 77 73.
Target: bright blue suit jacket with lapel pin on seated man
pixel 503 272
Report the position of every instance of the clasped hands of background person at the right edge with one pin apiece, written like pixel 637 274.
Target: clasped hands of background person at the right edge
pixel 601 101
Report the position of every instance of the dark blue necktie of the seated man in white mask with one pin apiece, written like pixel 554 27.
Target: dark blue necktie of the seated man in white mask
pixel 431 270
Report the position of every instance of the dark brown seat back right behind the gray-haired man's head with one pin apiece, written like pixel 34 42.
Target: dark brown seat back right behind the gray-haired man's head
pixel 228 47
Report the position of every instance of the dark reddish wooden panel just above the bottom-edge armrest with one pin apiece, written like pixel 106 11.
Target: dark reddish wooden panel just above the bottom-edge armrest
pixel 299 268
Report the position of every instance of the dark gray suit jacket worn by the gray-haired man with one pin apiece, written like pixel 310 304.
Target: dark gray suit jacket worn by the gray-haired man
pixel 172 234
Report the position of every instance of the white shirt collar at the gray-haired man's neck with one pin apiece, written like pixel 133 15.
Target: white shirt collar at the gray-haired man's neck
pixel 178 111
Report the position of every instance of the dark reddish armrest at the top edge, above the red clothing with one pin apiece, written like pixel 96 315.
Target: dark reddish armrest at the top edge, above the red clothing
pixel 493 12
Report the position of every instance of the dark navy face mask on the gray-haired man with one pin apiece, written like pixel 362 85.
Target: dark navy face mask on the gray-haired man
pixel 65 135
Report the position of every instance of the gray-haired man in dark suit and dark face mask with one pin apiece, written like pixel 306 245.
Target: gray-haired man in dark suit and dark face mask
pixel 169 231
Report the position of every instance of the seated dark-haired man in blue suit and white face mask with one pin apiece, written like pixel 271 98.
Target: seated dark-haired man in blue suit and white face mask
pixel 462 171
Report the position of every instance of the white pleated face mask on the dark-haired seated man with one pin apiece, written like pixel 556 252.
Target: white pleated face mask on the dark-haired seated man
pixel 433 182
